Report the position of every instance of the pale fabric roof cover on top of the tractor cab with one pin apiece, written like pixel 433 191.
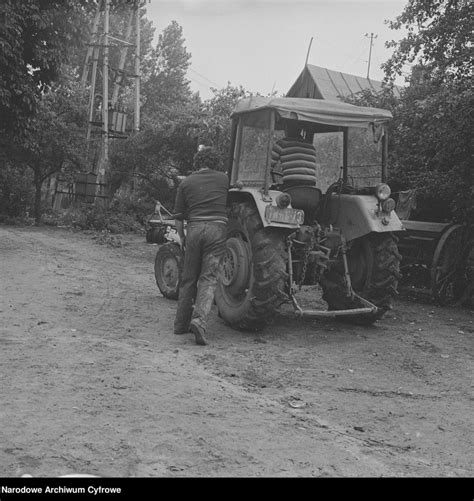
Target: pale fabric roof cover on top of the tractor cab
pixel 315 110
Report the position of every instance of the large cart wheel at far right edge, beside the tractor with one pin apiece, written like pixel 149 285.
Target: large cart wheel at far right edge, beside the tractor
pixel 448 268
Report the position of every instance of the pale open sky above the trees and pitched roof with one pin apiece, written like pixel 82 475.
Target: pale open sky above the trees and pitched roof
pixel 263 44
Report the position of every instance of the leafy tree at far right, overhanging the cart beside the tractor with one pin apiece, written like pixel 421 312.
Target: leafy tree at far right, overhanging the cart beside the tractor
pixel 431 139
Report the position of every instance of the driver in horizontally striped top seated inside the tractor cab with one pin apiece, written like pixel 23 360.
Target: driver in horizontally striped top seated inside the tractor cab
pixel 293 158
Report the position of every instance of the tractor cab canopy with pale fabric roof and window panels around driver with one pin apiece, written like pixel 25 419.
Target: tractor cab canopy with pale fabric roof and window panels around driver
pixel 345 136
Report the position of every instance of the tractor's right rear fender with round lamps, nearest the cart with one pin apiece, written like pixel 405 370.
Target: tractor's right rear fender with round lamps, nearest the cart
pixel 359 215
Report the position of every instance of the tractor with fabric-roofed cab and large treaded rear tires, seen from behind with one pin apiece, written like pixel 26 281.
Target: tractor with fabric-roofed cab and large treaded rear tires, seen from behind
pixel 284 233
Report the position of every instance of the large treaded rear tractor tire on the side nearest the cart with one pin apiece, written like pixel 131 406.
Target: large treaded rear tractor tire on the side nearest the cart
pixel 374 267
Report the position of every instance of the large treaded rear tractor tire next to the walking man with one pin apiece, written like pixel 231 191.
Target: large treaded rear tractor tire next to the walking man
pixel 254 279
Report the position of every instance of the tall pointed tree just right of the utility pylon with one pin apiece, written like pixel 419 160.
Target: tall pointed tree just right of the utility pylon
pixel 170 115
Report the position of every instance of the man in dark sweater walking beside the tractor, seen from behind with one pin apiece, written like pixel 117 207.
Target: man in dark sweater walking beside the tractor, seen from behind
pixel 201 201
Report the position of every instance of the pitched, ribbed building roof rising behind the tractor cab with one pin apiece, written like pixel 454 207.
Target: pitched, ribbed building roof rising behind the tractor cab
pixel 321 83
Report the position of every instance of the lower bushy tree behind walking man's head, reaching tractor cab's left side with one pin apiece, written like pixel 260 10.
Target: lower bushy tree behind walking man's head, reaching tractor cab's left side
pixel 165 149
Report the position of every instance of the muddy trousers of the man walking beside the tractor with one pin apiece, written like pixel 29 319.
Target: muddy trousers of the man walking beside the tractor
pixel 205 246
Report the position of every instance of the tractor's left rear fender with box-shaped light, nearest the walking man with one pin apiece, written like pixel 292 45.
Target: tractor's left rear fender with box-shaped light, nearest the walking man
pixel 270 213
